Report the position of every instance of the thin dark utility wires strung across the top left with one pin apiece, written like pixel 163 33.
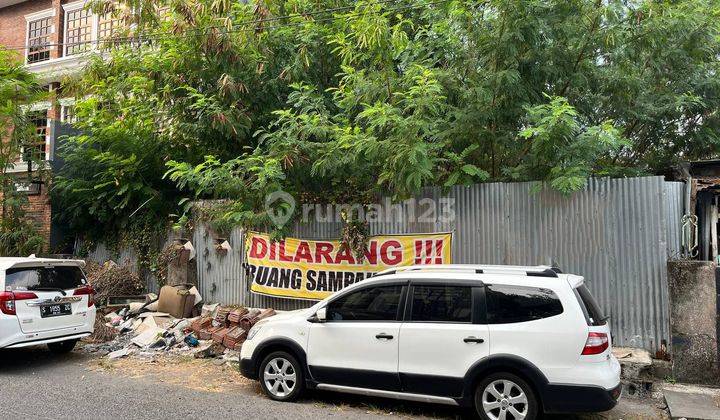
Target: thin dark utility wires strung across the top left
pixel 236 26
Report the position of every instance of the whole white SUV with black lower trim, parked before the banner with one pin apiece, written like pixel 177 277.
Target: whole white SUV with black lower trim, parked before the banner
pixel 509 341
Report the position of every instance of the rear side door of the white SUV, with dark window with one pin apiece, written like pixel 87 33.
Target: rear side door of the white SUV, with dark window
pixel 443 335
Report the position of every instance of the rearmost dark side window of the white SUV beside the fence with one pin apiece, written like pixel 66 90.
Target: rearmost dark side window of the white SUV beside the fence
pixel 510 304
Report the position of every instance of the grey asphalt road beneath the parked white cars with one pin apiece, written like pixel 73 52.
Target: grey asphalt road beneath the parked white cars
pixel 35 384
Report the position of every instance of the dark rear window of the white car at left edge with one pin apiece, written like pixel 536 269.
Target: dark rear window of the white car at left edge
pixel 44 278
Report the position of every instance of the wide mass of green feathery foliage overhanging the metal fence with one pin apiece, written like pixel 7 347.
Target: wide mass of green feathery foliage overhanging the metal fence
pixel 384 98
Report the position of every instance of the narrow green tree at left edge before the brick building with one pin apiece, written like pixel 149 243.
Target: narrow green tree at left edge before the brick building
pixel 18 89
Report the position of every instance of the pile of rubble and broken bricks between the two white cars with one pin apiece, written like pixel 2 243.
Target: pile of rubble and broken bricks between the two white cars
pixel 185 326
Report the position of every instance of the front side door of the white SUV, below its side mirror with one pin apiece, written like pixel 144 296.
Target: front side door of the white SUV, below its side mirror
pixel 358 344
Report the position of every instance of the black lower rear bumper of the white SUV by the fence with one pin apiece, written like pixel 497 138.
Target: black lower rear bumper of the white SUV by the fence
pixel 579 399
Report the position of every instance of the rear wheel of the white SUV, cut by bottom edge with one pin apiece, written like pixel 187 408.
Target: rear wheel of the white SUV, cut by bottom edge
pixel 505 393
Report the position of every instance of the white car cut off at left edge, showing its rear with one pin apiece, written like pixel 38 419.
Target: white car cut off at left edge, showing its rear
pixel 44 301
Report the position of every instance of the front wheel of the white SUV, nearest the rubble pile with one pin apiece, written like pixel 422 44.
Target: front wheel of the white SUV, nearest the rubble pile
pixel 281 376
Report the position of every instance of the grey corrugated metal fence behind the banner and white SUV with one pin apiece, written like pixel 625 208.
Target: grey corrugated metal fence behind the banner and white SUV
pixel 618 233
